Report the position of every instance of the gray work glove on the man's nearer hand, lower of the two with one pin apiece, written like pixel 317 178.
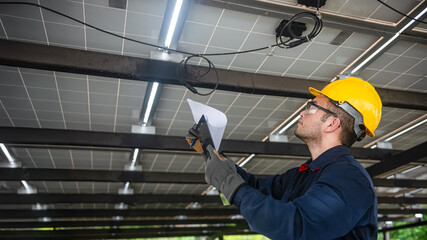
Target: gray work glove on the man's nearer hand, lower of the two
pixel 221 173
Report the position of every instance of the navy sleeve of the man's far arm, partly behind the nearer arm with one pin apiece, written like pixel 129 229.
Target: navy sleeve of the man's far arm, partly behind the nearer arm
pixel 273 185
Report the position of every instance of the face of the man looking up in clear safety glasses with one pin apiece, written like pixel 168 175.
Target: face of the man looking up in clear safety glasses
pixel 310 124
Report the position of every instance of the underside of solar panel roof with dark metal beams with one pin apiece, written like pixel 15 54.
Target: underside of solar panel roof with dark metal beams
pixel 70 96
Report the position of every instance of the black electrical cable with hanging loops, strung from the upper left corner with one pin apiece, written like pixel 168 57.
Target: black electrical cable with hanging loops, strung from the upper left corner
pixel 282 44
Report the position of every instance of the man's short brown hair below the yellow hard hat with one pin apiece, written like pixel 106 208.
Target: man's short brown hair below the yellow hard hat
pixel 348 136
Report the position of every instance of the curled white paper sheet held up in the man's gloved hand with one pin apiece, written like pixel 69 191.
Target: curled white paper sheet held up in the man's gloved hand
pixel 216 120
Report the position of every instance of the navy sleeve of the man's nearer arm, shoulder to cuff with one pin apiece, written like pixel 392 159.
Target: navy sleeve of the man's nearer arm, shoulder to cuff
pixel 329 209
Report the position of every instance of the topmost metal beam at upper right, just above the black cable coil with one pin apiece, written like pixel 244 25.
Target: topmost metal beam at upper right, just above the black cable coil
pixel 279 9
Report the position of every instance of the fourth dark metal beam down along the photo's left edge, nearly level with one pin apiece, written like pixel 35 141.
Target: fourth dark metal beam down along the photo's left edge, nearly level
pixel 52 198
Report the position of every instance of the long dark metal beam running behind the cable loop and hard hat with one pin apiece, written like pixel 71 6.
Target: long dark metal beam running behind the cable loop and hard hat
pixel 30 55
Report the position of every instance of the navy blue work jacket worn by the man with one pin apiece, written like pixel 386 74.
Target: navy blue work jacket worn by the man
pixel 331 197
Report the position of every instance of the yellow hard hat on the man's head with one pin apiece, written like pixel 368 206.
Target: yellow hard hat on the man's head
pixel 360 95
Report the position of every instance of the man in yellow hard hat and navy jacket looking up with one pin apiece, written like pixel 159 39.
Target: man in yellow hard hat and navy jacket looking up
pixel 330 196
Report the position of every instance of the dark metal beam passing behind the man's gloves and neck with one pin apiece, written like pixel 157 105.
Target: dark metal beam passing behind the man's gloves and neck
pixel 14 135
